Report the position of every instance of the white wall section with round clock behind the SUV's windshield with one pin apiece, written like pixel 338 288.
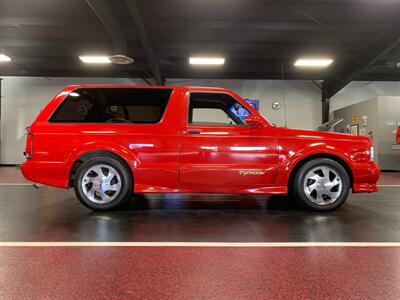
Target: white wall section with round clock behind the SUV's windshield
pixel 303 98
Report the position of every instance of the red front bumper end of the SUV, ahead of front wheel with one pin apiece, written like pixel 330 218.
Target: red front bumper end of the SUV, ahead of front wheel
pixel 366 177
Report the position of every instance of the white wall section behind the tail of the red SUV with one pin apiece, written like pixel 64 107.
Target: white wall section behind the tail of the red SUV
pixel 23 98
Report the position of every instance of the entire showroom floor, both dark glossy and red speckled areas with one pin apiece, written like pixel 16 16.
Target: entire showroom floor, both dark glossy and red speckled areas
pixel 246 271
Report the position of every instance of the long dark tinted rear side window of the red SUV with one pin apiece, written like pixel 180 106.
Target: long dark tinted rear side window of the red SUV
pixel 113 105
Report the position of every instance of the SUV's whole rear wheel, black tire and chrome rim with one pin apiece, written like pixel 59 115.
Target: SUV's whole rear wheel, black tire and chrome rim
pixel 103 183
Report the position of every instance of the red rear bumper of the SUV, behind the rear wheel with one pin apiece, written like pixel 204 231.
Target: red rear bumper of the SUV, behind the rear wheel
pixel 54 174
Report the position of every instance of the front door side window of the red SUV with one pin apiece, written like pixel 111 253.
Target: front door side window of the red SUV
pixel 216 109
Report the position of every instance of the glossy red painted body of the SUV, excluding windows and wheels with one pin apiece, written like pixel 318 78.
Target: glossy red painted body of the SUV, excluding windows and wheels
pixel 164 158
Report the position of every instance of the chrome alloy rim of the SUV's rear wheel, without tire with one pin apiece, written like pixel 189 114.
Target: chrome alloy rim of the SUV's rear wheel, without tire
pixel 101 184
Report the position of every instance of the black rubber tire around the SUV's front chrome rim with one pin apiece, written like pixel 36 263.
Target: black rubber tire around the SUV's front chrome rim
pixel 297 189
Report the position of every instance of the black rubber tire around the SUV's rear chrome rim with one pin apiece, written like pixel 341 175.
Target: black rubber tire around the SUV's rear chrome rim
pixel 123 194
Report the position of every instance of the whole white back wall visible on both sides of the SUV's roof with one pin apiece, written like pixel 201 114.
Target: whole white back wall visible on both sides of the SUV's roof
pixel 23 97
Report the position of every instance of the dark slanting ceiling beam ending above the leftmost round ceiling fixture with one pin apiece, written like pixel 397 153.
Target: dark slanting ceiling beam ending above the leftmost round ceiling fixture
pixel 106 16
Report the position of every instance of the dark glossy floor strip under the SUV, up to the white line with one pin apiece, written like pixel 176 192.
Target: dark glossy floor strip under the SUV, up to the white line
pixel 50 214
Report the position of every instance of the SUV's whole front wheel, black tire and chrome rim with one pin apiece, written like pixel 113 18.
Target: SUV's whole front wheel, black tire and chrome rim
pixel 321 185
